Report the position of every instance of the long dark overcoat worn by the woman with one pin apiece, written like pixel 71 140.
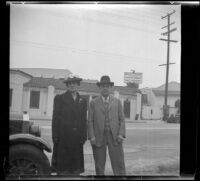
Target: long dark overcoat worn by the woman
pixel 69 133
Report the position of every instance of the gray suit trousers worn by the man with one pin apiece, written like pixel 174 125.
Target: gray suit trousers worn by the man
pixel 116 154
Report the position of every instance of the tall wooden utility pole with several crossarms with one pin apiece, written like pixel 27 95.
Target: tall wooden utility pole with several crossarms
pixel 168 40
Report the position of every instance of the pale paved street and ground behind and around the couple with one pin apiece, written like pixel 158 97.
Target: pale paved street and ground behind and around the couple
pixel 151 148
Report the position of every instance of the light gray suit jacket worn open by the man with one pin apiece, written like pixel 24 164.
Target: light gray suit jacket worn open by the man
pixel 96 119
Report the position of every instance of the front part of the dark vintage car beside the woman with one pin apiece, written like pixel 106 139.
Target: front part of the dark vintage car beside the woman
pixel 26 150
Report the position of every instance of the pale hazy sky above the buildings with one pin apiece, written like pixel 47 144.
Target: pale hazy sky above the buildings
pixel 94 40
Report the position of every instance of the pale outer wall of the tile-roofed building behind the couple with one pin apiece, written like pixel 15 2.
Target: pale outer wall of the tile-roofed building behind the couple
pixel 45 109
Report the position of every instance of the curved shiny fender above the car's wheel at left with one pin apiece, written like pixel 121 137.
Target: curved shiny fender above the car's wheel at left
pixel 30 139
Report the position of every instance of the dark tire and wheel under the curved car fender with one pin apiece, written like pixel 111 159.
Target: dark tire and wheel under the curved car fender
pixel 25 159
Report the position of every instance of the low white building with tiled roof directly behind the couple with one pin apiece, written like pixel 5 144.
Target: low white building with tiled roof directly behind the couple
pixel 35 95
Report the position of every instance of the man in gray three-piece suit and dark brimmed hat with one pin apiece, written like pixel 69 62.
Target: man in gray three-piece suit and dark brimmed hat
pixel 106 128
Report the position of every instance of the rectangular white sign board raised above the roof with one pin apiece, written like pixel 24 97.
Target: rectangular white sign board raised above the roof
pixel 130 77
